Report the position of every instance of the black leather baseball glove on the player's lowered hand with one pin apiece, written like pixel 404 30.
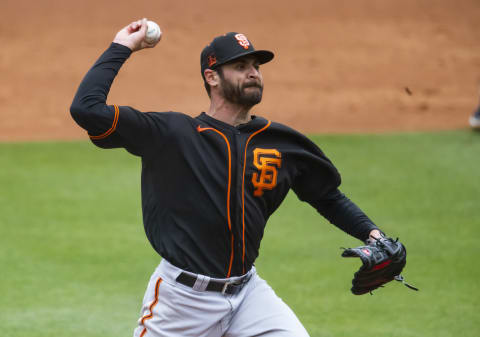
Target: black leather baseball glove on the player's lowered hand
pixel 382 261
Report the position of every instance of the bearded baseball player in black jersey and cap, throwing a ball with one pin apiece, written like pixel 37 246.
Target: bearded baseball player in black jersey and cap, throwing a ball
pixel 209 185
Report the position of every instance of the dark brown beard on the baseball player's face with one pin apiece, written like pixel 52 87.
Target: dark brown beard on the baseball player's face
pixel 238 95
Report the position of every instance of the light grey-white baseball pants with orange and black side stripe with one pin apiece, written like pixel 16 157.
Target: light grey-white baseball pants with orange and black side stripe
pixel 171 309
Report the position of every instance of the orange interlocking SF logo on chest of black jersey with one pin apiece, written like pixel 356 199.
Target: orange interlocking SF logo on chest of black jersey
pixel 266 161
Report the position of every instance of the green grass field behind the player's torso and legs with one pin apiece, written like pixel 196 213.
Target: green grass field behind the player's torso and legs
pixel 75 261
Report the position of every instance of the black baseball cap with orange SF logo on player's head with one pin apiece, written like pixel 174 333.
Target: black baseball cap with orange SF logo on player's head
pixel 228 47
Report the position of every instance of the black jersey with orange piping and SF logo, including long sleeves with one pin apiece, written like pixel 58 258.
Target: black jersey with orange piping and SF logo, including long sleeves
pixel 208 188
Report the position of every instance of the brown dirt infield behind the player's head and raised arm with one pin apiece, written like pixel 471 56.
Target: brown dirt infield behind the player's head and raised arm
pixel 340 66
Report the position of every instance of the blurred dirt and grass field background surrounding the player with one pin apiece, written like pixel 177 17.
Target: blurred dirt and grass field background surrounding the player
pixel 384 87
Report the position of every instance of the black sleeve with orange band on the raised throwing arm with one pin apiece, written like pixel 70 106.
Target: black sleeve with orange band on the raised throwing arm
pixel 113 126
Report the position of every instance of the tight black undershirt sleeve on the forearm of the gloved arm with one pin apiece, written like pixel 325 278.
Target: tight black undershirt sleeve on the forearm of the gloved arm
pixel 346 215
